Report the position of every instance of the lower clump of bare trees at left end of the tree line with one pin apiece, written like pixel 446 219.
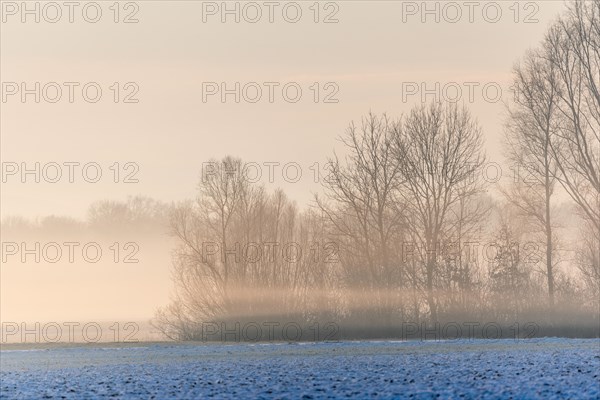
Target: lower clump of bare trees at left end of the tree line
pixel 242 253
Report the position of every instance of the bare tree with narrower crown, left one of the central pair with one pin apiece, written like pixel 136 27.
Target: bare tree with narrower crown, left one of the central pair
pixel 362 207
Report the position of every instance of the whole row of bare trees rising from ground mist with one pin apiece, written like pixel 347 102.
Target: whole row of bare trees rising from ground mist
pixel 403 210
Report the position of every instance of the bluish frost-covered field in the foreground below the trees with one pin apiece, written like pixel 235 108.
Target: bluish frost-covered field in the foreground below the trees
pixel 534 368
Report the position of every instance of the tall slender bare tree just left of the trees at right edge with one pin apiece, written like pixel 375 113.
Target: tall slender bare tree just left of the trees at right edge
pixel 532 127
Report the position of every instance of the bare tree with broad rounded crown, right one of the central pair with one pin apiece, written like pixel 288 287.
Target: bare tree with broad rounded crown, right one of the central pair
pixel 438 148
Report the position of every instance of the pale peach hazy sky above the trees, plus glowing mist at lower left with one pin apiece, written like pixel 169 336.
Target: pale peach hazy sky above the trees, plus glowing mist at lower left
pixel 370 55
